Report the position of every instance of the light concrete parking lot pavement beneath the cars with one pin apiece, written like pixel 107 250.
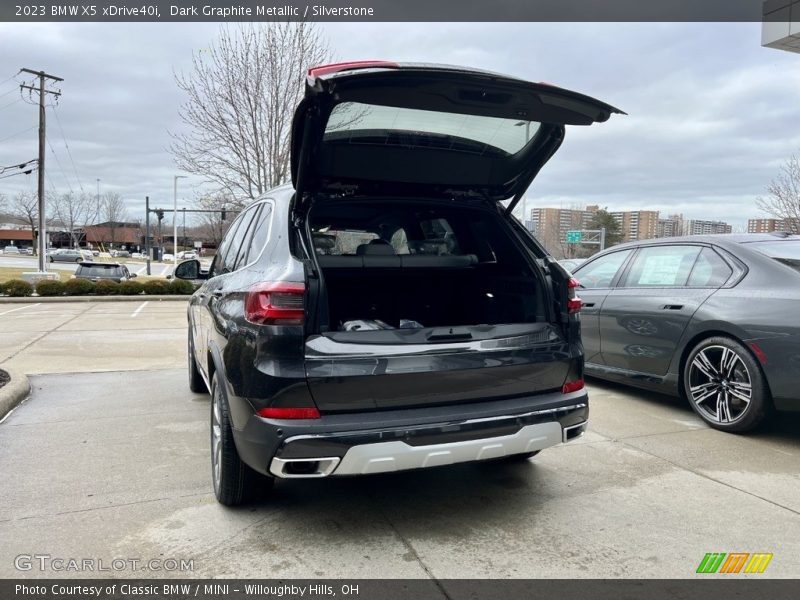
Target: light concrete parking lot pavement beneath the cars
pixel 114 464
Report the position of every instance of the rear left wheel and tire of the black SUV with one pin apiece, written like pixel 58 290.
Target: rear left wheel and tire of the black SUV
pixel 234 482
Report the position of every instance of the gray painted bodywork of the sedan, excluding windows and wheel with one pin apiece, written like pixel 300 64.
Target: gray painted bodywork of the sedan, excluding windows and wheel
pixel 756 306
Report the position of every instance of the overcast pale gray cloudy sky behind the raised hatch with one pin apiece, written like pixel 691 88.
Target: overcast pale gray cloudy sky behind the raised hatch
pixel 711 114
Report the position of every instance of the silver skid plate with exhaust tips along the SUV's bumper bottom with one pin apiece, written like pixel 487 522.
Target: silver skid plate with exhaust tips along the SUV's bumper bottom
pixel 387 457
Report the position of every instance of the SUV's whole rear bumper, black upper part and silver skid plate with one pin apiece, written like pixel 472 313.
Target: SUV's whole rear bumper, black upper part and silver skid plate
pixel 411 439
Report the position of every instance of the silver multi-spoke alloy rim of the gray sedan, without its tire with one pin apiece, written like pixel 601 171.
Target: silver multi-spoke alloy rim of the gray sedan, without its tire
pixel 720 384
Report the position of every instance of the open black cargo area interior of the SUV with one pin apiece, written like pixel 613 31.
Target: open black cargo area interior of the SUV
pixel 413 265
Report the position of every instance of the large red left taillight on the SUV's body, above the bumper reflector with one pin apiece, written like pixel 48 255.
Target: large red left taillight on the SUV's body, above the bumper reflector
pixel 275 303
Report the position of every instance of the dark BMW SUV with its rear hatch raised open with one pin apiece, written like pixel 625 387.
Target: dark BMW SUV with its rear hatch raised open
pixel 385 311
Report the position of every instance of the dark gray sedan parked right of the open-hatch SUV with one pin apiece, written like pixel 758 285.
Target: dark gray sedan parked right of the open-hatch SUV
pixel 711 318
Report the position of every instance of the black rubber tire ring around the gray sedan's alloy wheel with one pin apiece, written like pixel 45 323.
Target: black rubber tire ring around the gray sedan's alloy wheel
pixel 760 401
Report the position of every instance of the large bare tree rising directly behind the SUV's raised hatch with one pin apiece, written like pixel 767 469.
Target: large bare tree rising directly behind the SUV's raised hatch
pixel 241 97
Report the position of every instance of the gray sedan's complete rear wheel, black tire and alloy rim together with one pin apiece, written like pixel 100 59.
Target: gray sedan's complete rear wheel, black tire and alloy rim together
pixel 725 386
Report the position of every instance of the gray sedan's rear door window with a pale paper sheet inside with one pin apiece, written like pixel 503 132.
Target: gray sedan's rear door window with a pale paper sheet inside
pixel 662 266
